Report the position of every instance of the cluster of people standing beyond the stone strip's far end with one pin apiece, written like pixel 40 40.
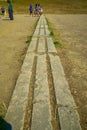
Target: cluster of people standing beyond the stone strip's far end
pixel 36 11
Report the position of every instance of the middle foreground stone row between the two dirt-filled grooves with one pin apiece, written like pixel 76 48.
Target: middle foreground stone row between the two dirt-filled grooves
pixel 41 107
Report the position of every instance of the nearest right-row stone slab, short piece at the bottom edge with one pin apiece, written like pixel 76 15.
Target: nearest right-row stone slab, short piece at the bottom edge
pixel 69 119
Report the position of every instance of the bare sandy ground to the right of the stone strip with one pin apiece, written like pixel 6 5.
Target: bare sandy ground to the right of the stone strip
pixel 71 31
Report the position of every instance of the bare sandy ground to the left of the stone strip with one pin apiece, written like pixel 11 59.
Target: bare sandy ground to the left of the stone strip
pixel 13 47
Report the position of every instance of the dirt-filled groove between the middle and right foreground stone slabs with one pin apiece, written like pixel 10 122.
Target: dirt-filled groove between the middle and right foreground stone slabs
pixel 53 102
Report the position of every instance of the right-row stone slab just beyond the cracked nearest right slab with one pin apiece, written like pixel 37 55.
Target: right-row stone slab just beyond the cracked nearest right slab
pixel 63 94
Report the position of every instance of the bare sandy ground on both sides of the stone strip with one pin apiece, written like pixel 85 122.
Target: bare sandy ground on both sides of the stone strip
pixel 70 30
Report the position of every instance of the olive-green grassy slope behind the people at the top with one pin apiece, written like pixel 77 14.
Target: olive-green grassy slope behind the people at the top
pixel 53 6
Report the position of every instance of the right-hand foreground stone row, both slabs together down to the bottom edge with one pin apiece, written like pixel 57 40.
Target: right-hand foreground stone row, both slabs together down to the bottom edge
pixel 69 118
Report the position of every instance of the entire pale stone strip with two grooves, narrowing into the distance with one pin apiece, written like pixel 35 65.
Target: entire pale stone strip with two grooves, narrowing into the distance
pixel 42 111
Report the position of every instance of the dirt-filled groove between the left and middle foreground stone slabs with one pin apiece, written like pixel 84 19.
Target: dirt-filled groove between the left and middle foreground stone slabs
pixel 29 108
